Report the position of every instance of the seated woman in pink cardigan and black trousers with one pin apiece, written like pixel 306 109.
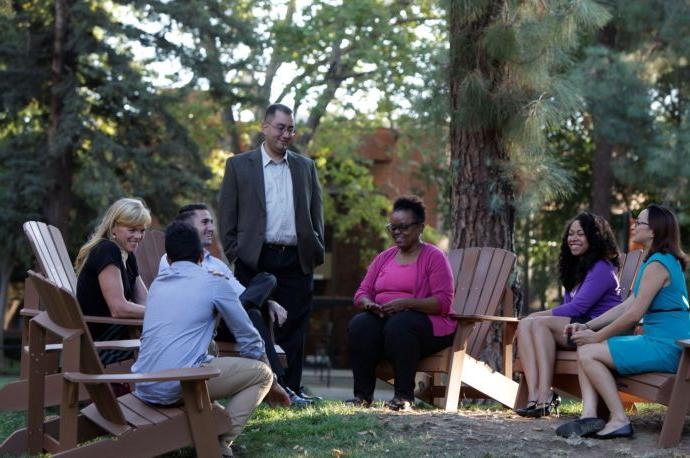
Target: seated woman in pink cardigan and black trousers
pixel 405 296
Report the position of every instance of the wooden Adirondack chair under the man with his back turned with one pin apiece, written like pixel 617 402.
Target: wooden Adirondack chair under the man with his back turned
pixel 135 428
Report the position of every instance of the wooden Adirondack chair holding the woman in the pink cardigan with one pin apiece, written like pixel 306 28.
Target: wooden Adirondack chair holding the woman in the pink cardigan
pixel 482 297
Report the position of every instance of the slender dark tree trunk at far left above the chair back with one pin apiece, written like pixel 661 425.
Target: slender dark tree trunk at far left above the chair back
pixel 56 209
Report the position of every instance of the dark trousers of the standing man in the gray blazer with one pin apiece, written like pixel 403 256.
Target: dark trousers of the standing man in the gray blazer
pixel 294 292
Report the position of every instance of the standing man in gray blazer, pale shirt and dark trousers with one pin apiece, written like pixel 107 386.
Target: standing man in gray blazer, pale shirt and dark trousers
pixel 271 220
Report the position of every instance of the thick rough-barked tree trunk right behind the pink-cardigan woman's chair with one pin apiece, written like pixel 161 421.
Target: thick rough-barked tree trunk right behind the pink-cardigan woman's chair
pixel 482 196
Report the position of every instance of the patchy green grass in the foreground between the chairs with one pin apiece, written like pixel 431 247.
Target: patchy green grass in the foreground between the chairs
pixel 333 429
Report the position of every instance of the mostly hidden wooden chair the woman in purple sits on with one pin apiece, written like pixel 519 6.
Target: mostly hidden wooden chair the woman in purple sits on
pixel 565 367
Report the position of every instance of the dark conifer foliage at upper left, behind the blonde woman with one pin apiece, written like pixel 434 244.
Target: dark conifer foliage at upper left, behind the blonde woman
pixel 113 128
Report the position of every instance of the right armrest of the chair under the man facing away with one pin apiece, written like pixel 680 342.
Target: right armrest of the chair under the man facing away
pixel 170 375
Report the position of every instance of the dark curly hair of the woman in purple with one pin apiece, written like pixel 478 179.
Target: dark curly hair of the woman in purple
pixel 602 246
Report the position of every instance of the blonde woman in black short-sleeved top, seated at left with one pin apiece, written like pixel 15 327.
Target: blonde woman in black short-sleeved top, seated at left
pixel 108 281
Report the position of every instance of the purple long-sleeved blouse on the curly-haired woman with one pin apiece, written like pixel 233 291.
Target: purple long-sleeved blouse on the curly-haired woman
pixel 598 292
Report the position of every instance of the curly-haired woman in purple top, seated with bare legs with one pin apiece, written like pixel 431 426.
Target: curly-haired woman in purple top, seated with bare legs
pixel 587 267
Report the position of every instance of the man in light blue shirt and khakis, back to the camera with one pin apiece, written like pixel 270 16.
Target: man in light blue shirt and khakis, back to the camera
pixel 178 327
